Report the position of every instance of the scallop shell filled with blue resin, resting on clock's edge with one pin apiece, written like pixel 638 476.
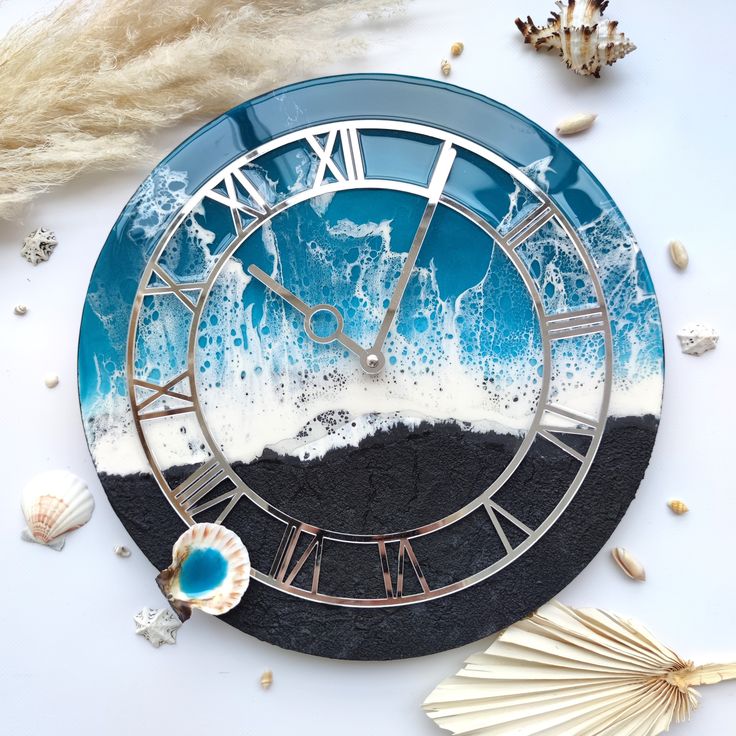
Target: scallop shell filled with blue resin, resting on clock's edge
pixel 210 571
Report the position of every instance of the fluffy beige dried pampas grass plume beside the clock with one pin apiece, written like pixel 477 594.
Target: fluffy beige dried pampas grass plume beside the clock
pixel 82 87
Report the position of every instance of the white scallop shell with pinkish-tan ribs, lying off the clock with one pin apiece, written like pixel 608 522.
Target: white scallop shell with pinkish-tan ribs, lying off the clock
pixel 55 503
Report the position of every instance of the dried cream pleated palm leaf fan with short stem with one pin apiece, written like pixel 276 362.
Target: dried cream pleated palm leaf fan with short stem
pixel 565 672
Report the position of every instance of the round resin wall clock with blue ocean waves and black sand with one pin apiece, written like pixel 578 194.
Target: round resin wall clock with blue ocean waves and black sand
pixel 395 336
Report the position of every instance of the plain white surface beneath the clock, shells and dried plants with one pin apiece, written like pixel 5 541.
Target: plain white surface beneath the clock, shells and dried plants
pixel 664 148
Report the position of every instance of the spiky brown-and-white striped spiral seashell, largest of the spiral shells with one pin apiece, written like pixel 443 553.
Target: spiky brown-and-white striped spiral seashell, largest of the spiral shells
pixel 580 35
